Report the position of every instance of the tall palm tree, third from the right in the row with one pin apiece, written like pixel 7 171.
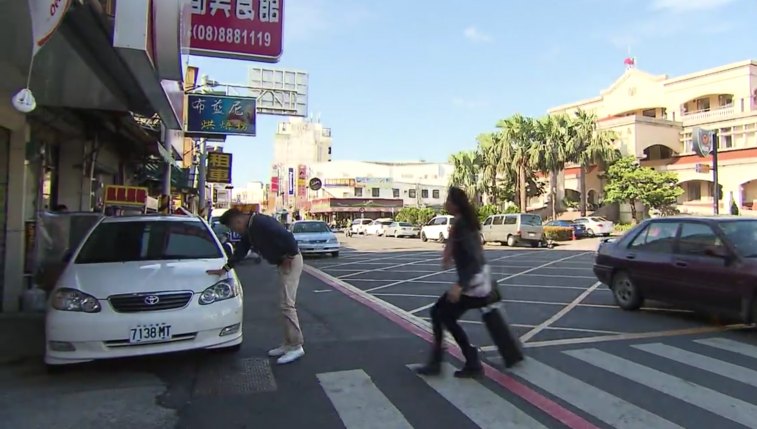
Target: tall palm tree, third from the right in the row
pixel 518 138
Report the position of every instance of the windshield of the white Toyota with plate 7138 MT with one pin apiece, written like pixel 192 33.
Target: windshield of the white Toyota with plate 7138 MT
pixel 148 241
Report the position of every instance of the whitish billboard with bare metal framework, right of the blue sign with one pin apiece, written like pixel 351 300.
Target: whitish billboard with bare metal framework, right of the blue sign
pixel 279 91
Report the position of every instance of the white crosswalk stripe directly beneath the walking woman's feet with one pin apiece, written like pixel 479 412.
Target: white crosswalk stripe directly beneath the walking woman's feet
pixel 479 404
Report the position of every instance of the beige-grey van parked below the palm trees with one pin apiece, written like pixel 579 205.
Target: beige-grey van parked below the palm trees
pixel 513 229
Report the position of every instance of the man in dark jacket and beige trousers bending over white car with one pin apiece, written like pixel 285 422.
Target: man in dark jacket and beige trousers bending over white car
pixel 269 239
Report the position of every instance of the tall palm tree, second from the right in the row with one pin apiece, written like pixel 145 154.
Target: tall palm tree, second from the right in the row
pixel 550 154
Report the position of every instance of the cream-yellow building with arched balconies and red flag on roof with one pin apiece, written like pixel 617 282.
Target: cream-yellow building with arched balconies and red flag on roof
pixel 653 115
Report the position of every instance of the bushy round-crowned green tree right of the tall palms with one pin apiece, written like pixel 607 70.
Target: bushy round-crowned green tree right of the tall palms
pixel 630 182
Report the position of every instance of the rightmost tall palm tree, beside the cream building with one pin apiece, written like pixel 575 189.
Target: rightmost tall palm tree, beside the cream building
pixel 590 146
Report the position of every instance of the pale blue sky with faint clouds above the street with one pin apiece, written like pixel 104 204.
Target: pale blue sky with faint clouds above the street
pixel 419 79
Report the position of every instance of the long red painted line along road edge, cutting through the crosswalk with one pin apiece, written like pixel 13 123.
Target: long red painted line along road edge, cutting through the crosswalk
pixel 548 406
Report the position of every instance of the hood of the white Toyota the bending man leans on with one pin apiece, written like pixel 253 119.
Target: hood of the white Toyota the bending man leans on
pixel 103 280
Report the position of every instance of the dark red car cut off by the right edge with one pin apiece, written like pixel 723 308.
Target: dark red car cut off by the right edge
pixel 704 263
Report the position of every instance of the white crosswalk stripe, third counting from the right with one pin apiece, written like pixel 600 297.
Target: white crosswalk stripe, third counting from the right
pixel 702 397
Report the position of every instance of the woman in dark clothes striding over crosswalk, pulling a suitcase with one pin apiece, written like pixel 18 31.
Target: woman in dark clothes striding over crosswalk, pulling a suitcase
pixel 471 290
